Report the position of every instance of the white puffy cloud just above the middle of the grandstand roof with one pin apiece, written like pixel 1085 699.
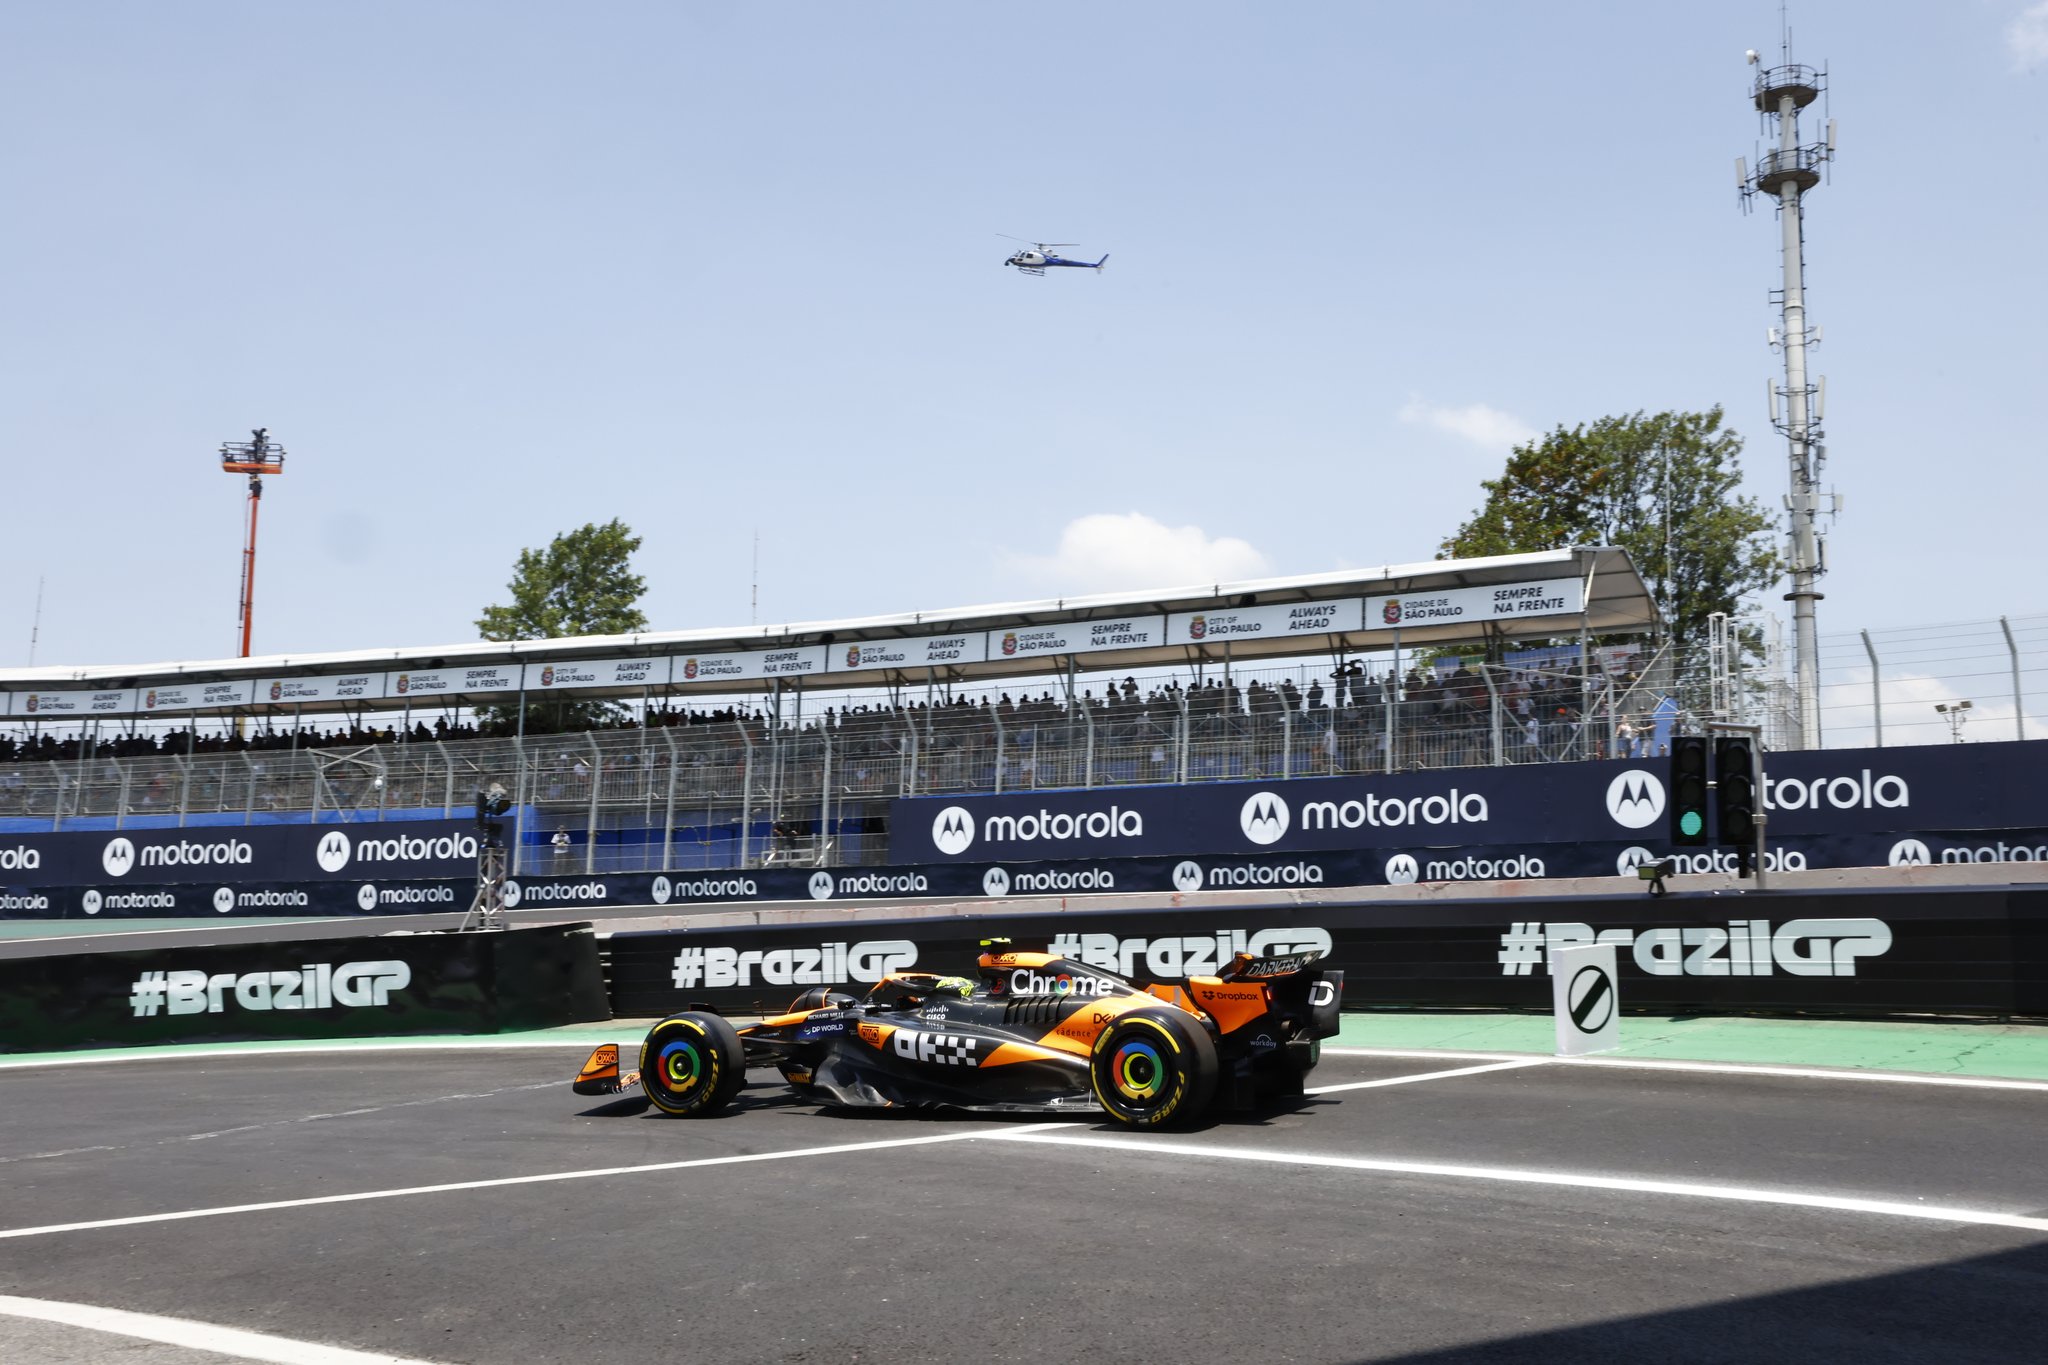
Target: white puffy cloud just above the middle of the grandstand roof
pixel 1107 552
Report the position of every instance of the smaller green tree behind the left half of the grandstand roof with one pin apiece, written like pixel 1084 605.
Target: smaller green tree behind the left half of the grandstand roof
pixel 581 584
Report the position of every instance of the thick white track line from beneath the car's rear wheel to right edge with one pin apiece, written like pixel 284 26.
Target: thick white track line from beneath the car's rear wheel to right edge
pixel 1541 1178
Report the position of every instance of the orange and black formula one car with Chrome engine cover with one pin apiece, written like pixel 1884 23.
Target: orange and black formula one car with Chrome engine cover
pixel 1033 1034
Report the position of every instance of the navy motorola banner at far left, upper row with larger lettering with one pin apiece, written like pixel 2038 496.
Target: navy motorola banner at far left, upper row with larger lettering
pixel 110 863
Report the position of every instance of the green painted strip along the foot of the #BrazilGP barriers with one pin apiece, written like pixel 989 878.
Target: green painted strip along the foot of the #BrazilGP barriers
pixel 1951 1049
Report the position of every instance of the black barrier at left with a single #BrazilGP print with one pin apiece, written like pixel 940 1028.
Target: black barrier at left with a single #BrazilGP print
pixel 357 987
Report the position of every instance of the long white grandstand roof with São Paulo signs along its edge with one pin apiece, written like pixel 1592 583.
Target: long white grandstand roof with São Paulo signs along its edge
pixel 1357 611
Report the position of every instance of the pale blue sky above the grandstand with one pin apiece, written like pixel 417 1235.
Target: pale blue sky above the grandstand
pixel 493 271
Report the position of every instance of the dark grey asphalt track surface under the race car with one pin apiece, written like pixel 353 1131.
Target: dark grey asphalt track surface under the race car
pixel 1441 1210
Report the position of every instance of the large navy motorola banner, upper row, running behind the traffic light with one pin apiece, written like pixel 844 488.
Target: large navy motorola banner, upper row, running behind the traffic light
pixel 1936 791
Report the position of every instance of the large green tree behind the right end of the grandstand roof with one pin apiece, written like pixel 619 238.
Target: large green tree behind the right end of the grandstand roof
pixel 1662 488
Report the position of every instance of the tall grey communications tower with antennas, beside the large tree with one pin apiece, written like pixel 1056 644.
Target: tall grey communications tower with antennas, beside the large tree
pixel 1787 173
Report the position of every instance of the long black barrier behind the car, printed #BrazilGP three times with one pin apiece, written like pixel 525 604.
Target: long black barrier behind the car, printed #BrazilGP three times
pixel 1842 953
